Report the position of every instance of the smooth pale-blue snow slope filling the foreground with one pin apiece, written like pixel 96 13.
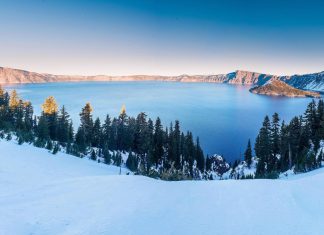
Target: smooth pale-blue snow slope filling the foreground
pixel 45 194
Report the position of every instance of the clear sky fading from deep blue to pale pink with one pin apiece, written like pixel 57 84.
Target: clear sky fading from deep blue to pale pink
pixel 125 37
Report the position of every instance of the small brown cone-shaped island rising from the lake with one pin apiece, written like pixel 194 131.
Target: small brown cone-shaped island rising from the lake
pixel 280 88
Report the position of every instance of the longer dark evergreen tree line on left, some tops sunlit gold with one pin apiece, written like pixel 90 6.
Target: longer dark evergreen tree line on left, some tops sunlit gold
pixel 153 150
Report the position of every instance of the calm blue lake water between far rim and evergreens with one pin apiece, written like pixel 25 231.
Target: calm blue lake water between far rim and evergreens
pixel 223 116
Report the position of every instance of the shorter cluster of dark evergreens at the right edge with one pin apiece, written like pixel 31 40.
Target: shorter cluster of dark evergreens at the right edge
pixel 295 145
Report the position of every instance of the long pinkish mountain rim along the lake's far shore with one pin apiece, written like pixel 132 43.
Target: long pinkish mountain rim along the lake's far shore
pixel 313 81
